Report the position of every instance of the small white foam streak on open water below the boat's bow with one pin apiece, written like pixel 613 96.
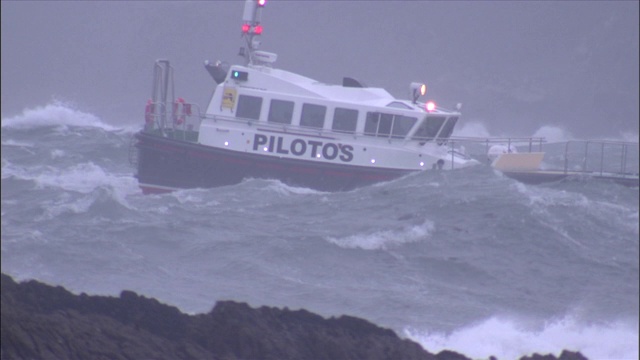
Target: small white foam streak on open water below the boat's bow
pixel 384 239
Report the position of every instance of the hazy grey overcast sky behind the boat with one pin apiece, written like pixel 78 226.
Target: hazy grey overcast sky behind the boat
pixel 515 66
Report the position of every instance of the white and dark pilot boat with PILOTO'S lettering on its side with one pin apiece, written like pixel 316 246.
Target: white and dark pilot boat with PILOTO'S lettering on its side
pixel 267 123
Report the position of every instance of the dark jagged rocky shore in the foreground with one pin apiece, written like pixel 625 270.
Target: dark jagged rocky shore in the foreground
pixel 46 322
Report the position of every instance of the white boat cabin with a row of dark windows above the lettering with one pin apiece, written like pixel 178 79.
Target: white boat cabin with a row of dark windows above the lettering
pixel 265 95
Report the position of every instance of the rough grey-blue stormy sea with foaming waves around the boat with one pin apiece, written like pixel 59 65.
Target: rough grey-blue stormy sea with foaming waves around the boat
pixel 466 260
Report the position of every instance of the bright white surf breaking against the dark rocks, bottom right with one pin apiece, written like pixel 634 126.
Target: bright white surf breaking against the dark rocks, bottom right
pixel 510 339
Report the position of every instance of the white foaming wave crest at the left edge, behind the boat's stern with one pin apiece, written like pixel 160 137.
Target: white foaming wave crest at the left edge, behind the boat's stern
pixel 54 114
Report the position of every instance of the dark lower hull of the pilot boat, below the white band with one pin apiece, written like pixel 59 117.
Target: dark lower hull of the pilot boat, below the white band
pixel 165 164
